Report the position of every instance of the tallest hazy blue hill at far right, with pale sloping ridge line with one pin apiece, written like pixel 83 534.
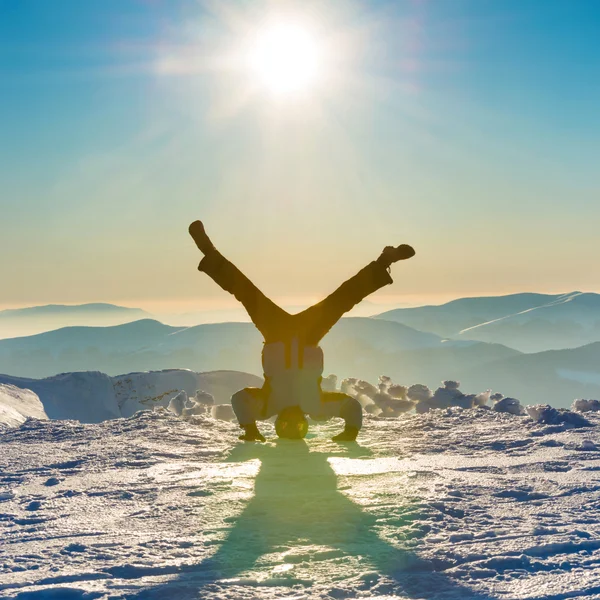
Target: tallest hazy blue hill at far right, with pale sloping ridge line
pixel 527 322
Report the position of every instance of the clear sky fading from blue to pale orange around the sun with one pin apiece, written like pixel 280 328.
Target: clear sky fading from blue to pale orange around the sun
pixel 467 128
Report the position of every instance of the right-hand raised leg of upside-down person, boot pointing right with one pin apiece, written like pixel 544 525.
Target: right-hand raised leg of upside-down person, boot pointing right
pixel 317 320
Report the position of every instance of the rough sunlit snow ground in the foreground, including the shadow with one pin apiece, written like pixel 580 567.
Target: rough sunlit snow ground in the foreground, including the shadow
pixel 445 505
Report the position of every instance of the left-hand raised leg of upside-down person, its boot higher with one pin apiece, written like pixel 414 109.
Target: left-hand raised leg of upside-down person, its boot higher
pixel 269 318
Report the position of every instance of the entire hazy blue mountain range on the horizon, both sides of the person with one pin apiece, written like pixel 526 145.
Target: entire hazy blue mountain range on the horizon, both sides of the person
pixel 505 343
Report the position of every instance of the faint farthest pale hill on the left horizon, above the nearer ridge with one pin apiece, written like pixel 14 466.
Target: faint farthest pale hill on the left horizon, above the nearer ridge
pixel 36 319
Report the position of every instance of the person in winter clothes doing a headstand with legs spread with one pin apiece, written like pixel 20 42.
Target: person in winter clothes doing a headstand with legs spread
pixel 292 359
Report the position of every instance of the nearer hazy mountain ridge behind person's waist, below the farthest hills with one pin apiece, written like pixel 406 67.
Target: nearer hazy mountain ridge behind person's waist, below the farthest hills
pixel 355 347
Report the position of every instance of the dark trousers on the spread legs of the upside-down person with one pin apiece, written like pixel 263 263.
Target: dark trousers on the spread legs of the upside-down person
pixel 277 325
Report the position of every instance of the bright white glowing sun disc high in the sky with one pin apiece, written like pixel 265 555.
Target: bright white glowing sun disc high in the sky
pixel 285 58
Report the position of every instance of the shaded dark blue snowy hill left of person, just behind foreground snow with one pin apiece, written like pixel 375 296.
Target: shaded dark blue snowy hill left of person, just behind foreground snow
pixel 92 397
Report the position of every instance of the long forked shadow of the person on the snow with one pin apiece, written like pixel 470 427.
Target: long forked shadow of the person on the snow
pixel 297 507
